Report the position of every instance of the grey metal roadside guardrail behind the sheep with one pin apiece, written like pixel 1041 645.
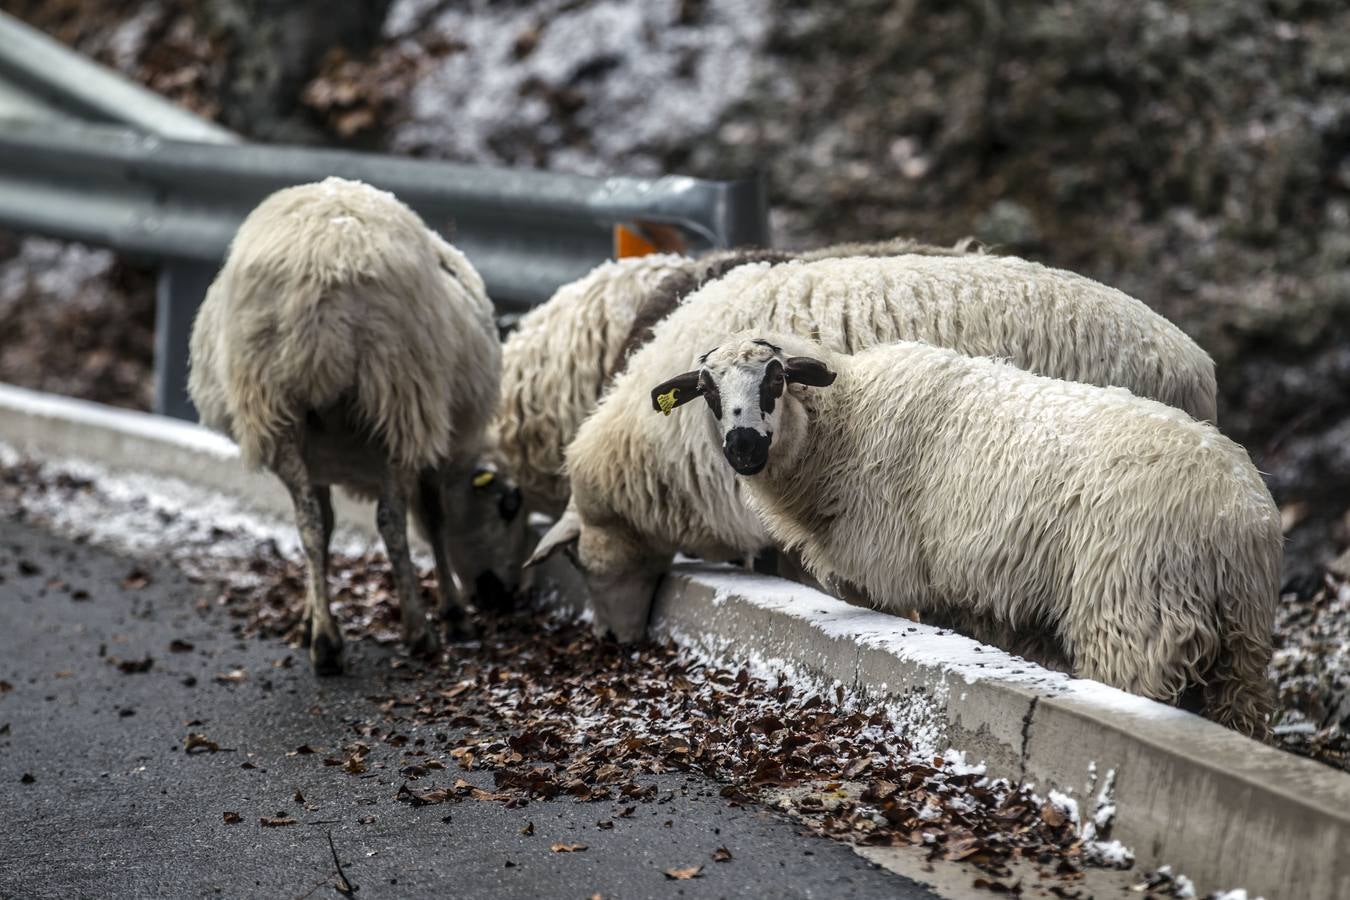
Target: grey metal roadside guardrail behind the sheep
pixel 145 191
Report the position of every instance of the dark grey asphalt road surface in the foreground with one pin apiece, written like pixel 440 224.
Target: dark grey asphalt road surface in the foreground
pixel 99 798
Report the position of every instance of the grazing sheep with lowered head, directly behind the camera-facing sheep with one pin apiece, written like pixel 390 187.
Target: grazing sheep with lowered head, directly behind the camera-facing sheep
pixel 643 493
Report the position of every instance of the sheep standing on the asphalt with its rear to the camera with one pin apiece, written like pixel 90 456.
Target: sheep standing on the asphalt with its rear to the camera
pixel 346 343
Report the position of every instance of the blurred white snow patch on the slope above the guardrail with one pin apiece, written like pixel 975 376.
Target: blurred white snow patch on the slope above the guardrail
pixel 632 79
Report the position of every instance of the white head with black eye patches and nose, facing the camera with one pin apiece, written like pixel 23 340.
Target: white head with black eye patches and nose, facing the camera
pixel 743 383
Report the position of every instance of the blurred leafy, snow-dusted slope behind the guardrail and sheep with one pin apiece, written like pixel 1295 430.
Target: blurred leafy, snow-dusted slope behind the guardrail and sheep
pixel 1194 154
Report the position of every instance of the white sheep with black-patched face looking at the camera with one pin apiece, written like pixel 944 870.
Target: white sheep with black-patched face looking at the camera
pixel 1144 540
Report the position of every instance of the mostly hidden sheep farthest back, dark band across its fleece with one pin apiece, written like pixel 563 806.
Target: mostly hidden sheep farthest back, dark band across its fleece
pixel 564 354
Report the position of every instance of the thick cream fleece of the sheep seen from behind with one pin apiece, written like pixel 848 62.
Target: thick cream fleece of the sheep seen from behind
pixel 337 291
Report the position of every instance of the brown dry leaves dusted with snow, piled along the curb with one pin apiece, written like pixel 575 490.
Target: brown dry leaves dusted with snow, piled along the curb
pixel 554 713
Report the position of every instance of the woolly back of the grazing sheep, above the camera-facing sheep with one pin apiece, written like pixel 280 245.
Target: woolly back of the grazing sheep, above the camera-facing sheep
pixel 1044 320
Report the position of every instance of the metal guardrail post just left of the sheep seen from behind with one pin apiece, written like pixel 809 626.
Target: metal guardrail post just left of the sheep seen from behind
pixel 183 285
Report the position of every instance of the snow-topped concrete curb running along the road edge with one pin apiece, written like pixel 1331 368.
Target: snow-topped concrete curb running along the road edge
pixel 1220 808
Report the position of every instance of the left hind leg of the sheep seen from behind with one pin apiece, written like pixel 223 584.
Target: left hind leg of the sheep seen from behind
pixel 310 501
